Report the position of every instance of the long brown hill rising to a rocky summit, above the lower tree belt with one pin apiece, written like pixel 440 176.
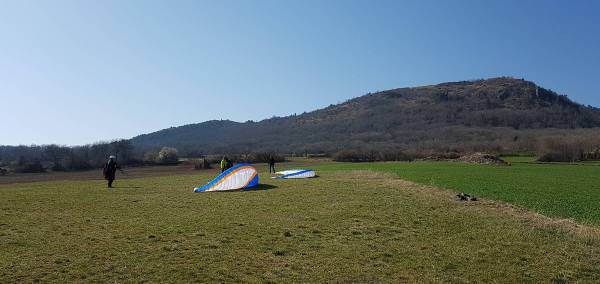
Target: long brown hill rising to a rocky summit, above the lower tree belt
pixel 468 115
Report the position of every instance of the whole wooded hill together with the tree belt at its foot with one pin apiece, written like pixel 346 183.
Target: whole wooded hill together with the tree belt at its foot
pixel 500 115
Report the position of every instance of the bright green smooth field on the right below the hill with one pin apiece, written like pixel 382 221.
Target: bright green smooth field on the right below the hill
pixel 559 190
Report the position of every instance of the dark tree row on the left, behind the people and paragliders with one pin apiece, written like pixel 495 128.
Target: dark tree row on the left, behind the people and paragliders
pixel 41 158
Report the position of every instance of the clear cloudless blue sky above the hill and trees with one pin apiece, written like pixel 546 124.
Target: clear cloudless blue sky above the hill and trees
pixel 75 72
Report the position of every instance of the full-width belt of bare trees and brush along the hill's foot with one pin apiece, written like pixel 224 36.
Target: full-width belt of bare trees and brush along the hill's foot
pixel 549 145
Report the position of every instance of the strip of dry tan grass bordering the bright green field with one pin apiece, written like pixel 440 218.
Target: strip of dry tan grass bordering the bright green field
pixel 482 206
